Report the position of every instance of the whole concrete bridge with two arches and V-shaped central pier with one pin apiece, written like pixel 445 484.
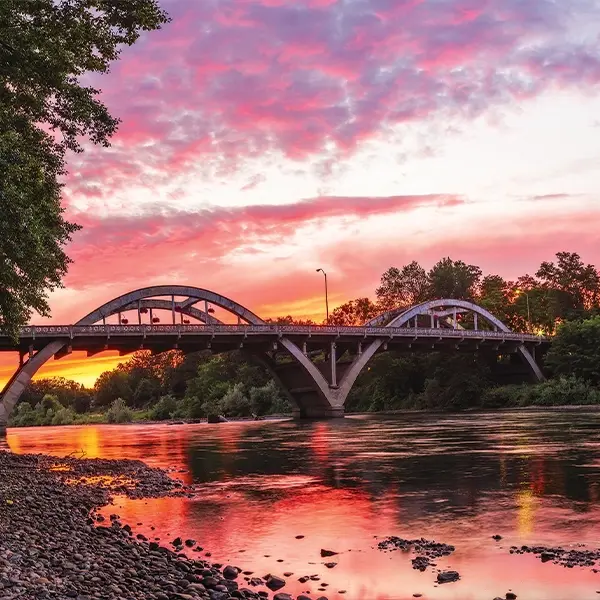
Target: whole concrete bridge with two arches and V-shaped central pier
pixel 316 388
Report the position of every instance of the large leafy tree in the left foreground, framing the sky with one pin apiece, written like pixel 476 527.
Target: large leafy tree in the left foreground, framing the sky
pixel 46 46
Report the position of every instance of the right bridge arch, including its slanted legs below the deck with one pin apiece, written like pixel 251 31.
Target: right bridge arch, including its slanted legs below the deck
pixel 395 318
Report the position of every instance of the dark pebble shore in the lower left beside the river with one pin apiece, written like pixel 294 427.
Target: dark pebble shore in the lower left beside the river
pixel 54 545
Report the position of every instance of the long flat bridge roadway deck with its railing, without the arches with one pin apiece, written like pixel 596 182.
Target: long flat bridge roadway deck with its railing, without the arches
pixel 128 338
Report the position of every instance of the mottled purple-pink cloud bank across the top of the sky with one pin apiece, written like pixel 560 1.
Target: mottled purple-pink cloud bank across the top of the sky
pixel 233 79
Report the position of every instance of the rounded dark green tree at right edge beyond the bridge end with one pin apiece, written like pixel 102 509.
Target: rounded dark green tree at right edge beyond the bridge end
pixel 575 350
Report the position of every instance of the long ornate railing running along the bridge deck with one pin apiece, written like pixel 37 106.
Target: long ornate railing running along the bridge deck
pixel 72 331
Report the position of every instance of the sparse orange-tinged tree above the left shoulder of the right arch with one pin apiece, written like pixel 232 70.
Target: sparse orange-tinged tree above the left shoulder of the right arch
pixel 402 287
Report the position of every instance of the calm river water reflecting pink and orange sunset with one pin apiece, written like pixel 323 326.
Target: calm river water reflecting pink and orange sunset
pixel 532 477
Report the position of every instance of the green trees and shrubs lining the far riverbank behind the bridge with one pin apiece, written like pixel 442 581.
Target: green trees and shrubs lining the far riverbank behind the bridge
pixel 562 299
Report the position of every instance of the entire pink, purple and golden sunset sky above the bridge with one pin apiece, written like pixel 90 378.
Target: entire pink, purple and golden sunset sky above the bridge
pixel 262 139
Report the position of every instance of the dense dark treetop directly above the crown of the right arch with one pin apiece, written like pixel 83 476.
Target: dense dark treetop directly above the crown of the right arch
pixel 454 279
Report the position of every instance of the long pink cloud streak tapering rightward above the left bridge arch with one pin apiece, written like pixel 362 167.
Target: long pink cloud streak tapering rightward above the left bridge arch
pixel 161 243
